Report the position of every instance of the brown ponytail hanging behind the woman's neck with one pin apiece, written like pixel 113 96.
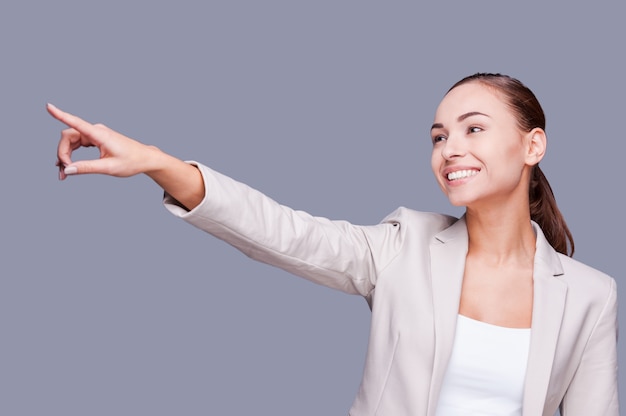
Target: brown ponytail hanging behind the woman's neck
pixel 544 211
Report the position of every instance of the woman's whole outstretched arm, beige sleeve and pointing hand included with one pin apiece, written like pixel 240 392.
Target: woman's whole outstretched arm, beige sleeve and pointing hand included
pixel 332 253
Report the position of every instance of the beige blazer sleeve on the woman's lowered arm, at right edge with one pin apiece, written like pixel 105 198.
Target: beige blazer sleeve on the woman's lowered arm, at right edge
pixel 593 390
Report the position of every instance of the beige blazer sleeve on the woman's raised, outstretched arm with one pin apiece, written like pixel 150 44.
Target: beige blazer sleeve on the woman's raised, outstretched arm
pixel 332 253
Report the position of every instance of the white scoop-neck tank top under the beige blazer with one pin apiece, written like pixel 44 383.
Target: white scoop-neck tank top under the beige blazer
pixel 486 372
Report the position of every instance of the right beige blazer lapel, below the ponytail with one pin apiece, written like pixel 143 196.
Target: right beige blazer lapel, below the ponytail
pixel 548 308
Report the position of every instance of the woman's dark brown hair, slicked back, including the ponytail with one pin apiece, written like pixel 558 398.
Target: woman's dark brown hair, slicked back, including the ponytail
pixel 526 107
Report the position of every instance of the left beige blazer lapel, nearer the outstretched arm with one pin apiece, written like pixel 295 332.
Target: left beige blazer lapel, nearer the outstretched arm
pixel 448 251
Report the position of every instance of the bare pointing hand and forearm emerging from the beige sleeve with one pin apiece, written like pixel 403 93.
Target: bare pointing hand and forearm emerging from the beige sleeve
pixel 122 156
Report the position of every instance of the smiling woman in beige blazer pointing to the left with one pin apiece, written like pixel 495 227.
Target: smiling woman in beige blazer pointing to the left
pixel 485 314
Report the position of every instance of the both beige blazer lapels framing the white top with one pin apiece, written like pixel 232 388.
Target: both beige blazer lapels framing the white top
pixel 448 251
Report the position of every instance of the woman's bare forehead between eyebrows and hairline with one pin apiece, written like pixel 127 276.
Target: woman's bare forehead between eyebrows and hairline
pixel 473 96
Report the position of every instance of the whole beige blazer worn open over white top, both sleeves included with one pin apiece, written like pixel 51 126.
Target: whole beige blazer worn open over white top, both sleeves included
pixel 409 268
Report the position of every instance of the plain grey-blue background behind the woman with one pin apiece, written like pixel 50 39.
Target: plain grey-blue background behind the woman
pixel 109 305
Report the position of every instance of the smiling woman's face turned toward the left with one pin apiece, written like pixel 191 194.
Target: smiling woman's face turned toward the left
pixel 479 153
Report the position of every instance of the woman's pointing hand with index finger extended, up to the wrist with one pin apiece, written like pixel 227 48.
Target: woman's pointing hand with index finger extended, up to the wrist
pixel 119 155
